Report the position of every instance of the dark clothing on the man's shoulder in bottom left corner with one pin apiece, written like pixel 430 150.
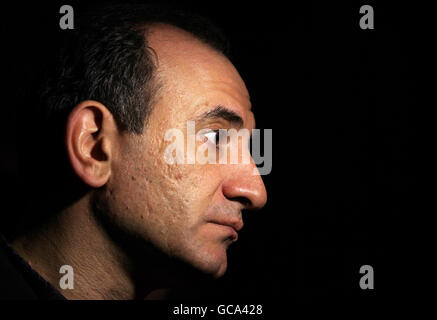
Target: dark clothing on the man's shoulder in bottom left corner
pixel 18 281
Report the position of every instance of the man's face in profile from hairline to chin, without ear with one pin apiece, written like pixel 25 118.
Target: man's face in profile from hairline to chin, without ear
pixel 188 211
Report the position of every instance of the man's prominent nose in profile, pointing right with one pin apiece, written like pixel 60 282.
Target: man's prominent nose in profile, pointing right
pixel 244 186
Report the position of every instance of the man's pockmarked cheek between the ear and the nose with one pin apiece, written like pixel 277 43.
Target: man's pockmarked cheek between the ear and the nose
pixel 162 198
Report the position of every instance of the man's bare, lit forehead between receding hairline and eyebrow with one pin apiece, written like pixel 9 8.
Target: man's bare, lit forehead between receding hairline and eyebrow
pixel 195 73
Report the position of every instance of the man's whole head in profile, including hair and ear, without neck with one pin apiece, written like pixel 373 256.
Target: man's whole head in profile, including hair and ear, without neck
pixel 115 138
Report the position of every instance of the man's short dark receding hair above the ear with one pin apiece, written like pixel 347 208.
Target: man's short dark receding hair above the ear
pixel 107 58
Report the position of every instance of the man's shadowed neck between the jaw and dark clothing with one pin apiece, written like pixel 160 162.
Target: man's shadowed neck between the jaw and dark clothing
pixel 74 237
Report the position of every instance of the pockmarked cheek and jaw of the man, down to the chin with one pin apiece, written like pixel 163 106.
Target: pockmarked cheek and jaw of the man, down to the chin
pixel 166 204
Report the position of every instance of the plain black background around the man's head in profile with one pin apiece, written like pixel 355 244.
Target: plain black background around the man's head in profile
pixel 341 102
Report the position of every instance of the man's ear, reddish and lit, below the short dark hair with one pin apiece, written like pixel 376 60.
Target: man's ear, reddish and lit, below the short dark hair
pixel 90 139
